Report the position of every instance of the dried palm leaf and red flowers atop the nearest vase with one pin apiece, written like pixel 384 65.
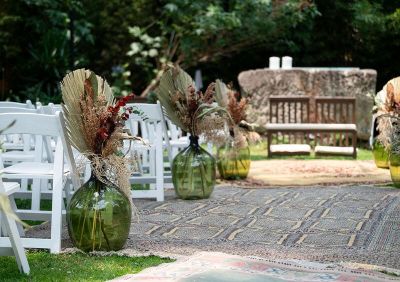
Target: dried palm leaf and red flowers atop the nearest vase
pixel 95 123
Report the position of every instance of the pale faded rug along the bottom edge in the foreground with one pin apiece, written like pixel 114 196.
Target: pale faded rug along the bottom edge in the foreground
pixel 206 266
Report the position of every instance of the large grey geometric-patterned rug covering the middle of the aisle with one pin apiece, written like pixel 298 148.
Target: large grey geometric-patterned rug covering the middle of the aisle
pixel 359 223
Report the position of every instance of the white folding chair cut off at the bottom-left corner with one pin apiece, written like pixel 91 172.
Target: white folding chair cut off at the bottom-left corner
pixel 9 230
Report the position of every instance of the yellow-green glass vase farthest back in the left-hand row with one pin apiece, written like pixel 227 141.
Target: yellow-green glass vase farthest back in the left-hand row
pixel 233 163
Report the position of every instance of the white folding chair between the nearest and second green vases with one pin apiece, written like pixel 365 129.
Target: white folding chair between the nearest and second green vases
pixel 149 123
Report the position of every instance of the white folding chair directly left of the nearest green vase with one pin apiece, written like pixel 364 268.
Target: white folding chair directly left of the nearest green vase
pixel 56 172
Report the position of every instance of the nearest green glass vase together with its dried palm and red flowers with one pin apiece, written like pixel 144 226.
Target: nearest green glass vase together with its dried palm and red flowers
pixel 99 213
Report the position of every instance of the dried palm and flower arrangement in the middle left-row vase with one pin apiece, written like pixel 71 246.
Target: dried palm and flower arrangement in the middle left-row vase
pixel 190 109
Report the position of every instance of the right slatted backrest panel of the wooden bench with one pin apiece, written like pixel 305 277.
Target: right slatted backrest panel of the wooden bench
pixel 335 110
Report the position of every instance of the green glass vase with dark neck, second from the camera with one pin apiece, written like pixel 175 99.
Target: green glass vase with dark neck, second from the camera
pixel 193 172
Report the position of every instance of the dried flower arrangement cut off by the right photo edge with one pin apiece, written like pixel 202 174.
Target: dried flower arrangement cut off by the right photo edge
pixel 387 108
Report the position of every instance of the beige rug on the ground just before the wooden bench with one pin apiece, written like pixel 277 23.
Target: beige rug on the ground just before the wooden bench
pixel 312 172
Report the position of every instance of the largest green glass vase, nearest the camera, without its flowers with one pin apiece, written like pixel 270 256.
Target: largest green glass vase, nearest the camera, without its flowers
pixel 99 217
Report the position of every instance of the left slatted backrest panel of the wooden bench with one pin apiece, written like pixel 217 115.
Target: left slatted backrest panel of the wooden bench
pixel 289 109
